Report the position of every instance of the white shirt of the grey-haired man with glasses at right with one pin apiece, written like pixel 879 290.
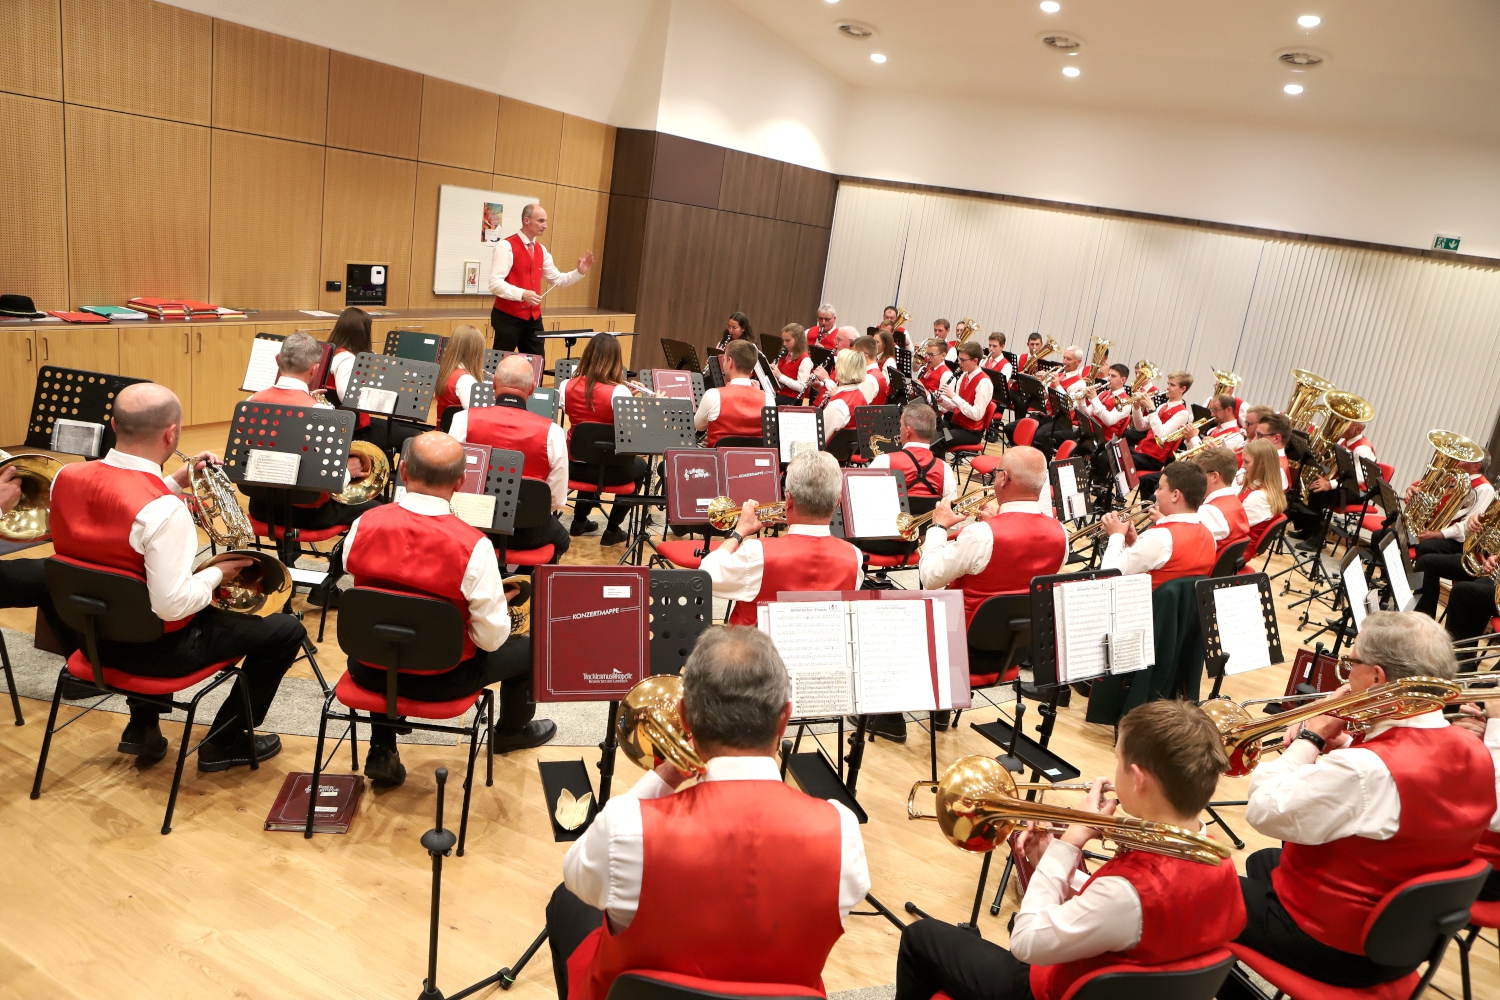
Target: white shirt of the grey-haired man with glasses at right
pixel 1315 800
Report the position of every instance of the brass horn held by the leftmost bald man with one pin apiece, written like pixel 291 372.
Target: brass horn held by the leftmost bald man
pixel 257 590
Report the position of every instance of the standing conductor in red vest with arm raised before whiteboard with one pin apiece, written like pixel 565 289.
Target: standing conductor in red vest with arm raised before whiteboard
pixel 515 278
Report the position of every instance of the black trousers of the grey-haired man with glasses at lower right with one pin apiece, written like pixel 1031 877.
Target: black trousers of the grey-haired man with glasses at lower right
pixel 1273 932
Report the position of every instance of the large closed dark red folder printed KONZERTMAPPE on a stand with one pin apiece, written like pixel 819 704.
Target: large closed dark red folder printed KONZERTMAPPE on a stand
pixel 590 632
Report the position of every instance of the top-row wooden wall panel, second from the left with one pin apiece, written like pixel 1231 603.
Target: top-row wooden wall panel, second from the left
pixel 139 56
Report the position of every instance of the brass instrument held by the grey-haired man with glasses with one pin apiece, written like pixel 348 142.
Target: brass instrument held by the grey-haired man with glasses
pixel 1391 701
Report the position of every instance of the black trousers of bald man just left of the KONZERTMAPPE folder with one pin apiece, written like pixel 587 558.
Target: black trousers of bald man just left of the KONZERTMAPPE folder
pixel 509 668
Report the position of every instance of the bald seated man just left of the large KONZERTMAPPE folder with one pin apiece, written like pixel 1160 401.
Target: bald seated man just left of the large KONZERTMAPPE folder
pixel 419 546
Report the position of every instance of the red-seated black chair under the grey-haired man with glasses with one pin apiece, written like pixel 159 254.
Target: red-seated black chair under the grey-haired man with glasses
pixel 1412 924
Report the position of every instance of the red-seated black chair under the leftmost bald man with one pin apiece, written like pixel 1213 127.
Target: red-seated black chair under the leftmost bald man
pixel 112 605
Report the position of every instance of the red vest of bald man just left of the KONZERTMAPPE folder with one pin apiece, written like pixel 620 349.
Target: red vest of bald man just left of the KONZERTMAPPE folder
pixel 415 554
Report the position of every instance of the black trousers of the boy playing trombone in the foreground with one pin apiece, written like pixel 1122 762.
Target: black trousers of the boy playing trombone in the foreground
pixel 935 956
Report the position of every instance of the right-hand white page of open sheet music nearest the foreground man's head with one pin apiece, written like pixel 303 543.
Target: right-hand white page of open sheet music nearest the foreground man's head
pixel 895 669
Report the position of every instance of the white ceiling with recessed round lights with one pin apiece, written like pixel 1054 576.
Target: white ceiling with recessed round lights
pixel 1391 65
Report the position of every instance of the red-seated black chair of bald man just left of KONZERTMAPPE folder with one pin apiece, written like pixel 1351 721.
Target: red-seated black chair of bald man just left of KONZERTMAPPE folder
pixel 404 633
